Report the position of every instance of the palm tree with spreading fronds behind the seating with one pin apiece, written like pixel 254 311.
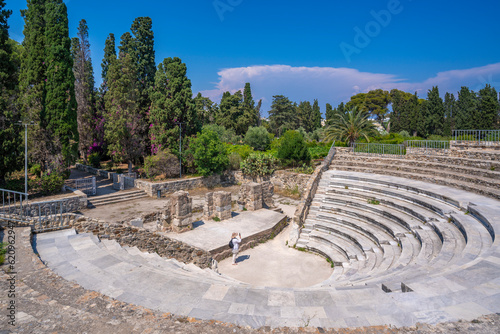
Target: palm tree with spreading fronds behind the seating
pixel 350 126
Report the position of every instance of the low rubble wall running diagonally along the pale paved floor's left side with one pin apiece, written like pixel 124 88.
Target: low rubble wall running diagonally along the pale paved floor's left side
pixel 143 239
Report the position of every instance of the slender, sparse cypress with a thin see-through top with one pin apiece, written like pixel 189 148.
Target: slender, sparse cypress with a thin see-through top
pixel 84 88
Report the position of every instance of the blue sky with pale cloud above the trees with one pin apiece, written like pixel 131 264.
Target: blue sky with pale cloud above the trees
pixel 327 50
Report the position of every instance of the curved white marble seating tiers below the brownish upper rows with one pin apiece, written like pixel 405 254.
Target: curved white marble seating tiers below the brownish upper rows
pixel 382 229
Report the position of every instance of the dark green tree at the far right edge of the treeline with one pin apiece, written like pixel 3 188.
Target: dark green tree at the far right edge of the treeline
pixel 488 108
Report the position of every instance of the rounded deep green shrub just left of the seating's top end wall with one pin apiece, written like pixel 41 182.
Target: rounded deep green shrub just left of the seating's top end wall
pixel 293 149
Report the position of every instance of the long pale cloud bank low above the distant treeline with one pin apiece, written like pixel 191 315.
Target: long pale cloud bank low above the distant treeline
pixel 333 85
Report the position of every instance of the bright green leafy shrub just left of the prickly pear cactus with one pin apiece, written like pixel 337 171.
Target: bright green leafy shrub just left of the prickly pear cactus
pixel 209 153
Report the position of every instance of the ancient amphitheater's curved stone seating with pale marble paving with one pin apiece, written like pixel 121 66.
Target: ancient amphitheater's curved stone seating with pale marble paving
pixel 413 240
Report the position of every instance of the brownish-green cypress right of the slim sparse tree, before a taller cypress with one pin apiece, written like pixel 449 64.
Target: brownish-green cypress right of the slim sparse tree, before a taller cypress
pixel 124 126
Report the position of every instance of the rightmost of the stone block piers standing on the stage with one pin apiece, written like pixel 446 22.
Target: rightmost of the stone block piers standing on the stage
pixel 254 196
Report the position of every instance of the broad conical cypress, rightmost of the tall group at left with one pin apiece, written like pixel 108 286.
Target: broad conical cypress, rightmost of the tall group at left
pixel 171 103
